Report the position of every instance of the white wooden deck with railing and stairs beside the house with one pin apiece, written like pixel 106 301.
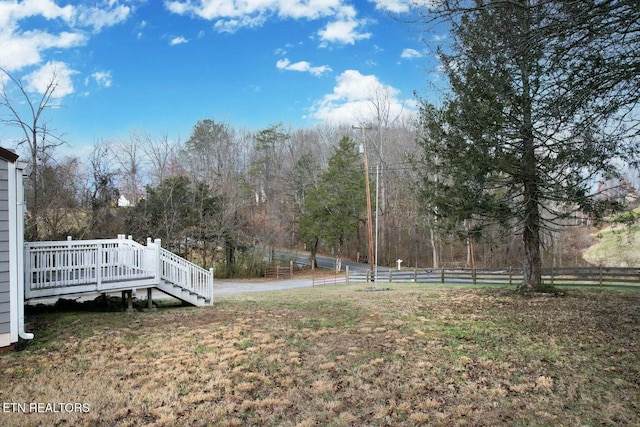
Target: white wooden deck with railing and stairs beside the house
pixel 109 265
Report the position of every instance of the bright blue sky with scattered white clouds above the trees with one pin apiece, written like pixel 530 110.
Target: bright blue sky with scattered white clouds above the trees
pixel 160 66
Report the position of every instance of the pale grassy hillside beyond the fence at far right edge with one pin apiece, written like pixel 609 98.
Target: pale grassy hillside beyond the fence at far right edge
pixel 617 245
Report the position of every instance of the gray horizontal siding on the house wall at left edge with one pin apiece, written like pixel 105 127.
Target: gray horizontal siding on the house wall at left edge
pixel 5 312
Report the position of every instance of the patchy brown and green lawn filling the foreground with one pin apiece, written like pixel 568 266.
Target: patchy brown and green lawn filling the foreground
pixel 337 356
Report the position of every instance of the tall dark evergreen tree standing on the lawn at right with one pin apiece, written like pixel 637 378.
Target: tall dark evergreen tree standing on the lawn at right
pixel 519 141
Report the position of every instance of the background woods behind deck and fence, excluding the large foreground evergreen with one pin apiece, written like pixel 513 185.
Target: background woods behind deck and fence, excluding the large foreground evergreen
pixel 225 197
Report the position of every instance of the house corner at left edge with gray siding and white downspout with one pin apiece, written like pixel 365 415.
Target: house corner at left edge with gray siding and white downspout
pixel 11 250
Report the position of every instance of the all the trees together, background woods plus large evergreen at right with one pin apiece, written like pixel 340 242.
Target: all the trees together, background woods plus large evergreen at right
pixel 535 139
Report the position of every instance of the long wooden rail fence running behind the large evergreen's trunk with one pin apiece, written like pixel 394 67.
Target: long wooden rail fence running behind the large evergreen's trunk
pixel 566 276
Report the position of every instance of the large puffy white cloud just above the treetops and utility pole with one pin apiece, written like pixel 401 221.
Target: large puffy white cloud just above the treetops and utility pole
pixel 354 97
